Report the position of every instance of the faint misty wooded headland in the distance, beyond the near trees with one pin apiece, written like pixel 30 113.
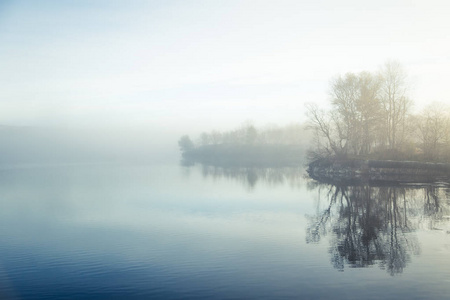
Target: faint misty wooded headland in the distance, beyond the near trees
pixel 248 145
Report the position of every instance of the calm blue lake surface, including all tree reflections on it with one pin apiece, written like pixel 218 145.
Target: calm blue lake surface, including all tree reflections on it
pixel 124 231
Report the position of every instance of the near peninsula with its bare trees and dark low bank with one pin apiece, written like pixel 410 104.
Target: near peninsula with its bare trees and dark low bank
pixel 370 133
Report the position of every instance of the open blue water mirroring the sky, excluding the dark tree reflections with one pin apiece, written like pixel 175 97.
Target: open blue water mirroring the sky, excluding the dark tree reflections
pixel 153 231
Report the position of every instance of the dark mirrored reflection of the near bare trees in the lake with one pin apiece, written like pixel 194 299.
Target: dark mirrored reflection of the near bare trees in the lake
pixel 375 225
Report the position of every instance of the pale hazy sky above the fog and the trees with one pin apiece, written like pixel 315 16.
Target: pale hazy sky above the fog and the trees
pixel 209 64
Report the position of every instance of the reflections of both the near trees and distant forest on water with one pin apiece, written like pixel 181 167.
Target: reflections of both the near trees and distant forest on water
pixel 366 224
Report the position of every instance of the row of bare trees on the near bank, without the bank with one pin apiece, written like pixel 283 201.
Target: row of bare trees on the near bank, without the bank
pixel 370 115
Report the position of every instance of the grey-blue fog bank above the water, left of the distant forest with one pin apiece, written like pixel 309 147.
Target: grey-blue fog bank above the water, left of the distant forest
pixel 35 146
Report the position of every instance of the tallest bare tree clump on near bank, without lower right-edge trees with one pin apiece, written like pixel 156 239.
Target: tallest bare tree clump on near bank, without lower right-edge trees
pixel 369 112
